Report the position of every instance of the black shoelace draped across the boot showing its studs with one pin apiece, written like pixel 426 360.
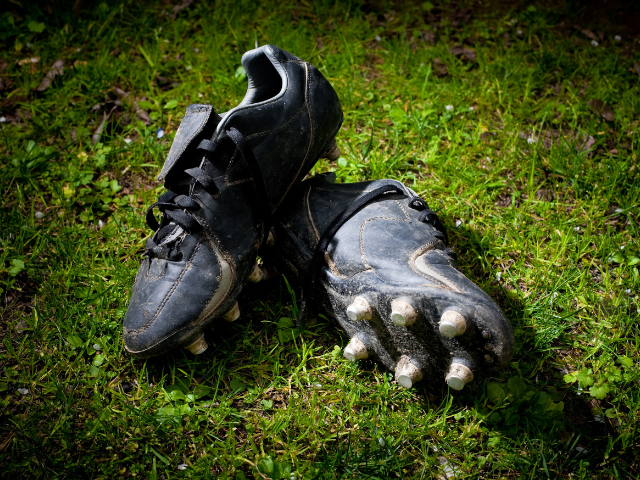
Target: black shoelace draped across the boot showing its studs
pixel 426 216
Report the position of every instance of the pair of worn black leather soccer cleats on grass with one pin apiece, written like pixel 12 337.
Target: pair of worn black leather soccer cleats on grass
pixel 372 254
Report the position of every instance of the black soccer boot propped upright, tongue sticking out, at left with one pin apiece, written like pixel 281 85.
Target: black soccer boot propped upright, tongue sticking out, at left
pixel 225 175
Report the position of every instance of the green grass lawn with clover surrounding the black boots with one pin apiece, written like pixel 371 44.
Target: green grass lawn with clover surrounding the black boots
pixel 537 184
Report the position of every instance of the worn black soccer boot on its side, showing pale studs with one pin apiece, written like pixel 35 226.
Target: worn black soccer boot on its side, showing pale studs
pixel 374 256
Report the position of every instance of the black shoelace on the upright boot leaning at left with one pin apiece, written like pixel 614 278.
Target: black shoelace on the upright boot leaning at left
pixel 179 209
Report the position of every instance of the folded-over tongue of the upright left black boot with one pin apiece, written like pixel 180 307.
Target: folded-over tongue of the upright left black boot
pixel 199 122
